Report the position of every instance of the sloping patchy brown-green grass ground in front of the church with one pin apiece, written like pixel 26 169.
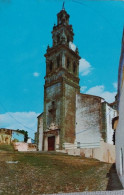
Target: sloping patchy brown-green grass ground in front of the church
pixel 40 173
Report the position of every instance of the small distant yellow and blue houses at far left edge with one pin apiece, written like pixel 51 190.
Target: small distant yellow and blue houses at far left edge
pixel 9 135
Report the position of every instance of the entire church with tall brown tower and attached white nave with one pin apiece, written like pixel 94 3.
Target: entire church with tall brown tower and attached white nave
pixel 70 119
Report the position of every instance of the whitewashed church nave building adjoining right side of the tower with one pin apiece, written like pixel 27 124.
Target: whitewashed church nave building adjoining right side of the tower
pixel 93 121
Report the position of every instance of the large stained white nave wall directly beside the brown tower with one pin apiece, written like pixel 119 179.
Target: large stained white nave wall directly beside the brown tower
pixel 88 121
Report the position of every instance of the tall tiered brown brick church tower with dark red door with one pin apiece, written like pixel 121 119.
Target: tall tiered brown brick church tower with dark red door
pixel 61 86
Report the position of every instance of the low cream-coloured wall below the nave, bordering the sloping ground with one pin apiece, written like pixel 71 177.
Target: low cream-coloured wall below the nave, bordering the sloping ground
pixel 105 153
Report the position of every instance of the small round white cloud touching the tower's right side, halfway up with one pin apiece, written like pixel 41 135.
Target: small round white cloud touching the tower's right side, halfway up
pixel 84 67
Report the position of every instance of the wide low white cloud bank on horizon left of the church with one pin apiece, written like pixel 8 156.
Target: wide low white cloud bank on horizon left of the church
pixel 20 120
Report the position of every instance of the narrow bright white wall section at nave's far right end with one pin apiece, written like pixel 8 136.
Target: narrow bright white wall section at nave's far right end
pixel 110 114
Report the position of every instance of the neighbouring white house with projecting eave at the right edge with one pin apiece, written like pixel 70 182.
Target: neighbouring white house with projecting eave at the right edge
pixel 120 126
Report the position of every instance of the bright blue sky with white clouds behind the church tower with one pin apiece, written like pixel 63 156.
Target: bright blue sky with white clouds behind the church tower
pixel 25 32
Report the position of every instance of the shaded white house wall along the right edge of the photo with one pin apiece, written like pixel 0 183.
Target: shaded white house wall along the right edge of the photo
pixel 120 139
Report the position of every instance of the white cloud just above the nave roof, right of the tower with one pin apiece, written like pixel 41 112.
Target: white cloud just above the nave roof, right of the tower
pixel 99 90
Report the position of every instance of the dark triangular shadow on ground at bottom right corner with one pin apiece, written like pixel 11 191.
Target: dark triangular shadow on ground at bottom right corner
pixel 113 182
